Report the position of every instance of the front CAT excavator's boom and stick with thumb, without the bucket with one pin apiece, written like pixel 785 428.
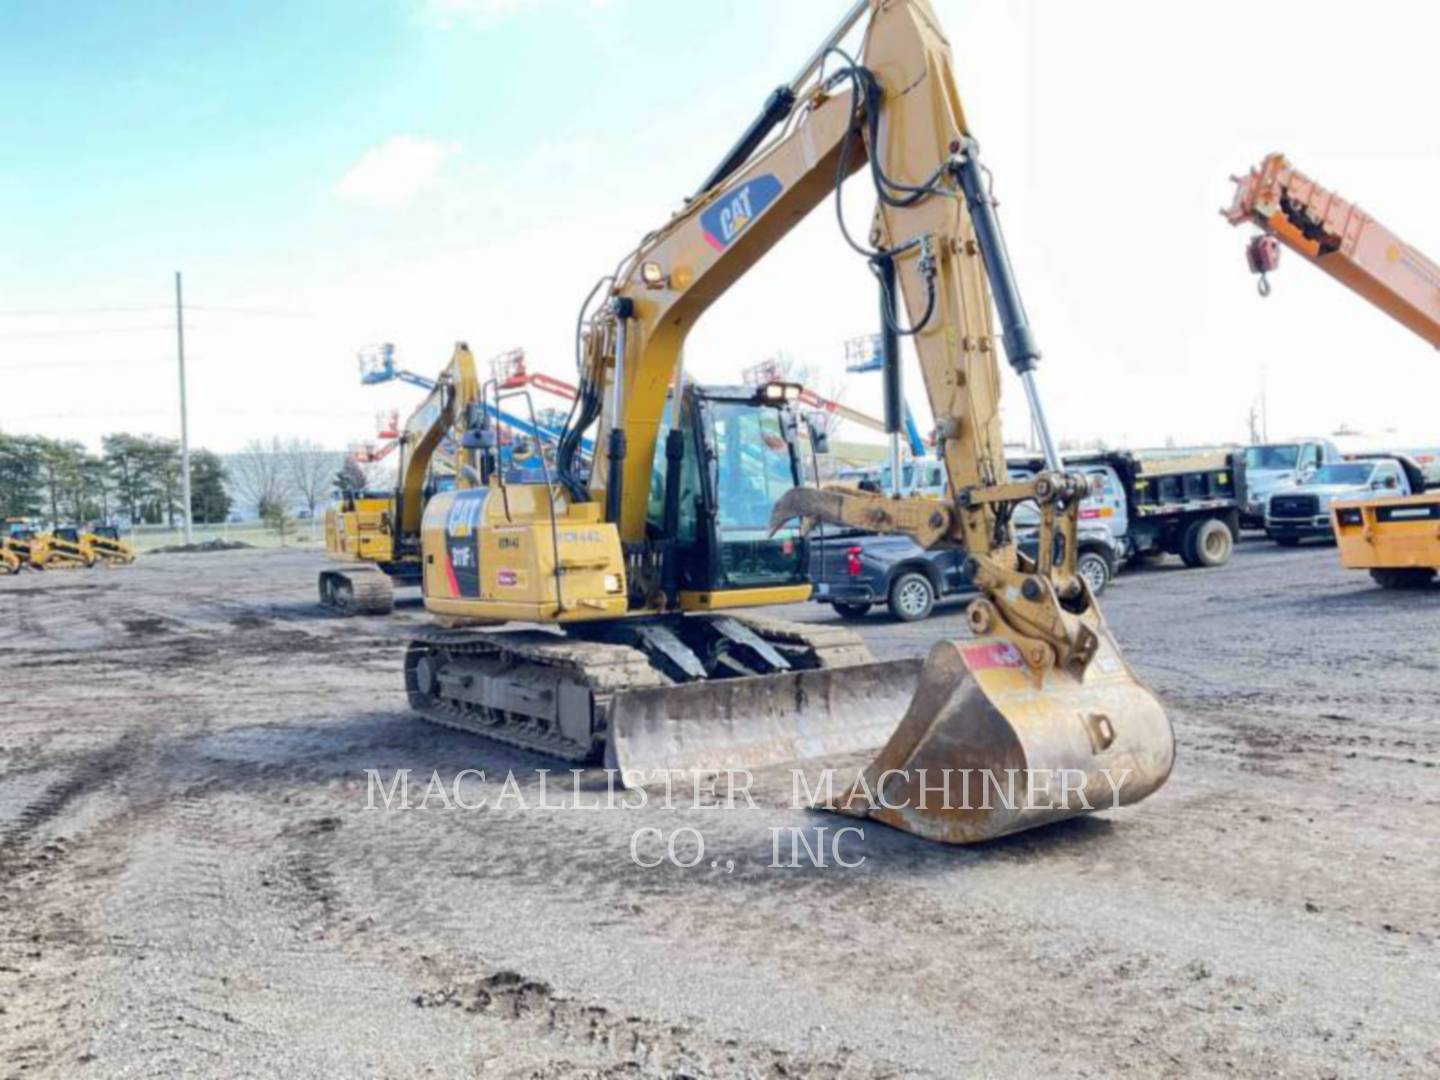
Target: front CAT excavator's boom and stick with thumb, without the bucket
pixel 935 235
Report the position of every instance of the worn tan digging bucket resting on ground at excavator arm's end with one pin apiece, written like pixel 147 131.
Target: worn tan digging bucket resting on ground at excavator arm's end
pixel 984 750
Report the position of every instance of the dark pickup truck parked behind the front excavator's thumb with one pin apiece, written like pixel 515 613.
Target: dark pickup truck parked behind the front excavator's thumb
pixel 856 571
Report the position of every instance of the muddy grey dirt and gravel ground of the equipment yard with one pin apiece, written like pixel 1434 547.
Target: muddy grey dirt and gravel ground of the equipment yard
pixel 192 879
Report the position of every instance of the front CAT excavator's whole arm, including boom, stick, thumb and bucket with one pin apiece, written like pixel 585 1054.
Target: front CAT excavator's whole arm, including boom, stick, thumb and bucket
pixel 1042 686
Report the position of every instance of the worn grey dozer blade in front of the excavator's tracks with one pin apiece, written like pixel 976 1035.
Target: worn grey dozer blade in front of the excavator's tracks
pixel 750 724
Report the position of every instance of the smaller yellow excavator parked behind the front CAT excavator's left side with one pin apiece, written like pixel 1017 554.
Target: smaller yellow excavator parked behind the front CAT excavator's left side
pixel 379 534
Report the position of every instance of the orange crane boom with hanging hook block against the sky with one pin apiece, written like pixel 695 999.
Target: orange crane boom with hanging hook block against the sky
pixel 1341 240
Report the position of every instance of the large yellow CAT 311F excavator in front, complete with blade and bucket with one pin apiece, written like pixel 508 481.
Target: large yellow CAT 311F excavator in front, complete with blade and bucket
pixel 640 567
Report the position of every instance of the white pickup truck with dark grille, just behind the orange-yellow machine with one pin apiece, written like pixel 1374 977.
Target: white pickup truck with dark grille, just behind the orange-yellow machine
pixel 1302 508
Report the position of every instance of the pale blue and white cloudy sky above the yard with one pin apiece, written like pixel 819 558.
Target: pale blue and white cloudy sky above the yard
pixel 338 174
